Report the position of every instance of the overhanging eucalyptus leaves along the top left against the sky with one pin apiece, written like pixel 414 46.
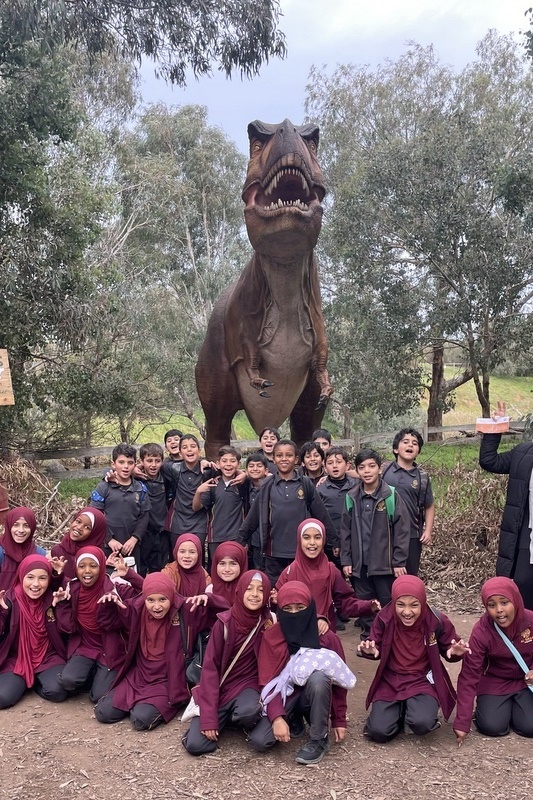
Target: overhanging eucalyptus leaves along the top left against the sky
pixel 191 34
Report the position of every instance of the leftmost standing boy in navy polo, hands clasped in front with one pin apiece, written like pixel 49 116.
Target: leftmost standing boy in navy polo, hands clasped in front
pixel 126 504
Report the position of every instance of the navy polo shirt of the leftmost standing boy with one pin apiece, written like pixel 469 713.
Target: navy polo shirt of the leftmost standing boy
pixel 126 509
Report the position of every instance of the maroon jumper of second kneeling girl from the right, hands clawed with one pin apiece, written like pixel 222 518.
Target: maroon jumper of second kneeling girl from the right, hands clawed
pixel 394 686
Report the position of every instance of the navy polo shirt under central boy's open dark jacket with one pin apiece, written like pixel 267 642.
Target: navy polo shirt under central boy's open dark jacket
pixel 287 509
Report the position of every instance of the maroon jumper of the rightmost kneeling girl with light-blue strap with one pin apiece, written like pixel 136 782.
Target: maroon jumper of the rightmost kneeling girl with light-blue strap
pixel 491 668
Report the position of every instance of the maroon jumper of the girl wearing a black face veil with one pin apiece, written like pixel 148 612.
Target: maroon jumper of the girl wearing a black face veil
pixel 275 707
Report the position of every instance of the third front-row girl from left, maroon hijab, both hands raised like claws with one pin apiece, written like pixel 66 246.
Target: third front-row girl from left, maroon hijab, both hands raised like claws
pixel 152 685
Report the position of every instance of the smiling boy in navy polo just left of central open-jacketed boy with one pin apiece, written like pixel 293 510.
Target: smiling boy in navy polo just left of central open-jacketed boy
pixel 225 501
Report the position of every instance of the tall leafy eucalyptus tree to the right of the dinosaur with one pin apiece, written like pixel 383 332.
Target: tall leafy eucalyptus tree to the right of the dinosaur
pixel 430 220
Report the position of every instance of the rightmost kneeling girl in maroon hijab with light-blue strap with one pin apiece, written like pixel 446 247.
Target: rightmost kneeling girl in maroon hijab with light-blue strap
pixel 490 673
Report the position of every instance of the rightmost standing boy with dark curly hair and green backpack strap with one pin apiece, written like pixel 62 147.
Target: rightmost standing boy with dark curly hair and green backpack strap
pixel 414 487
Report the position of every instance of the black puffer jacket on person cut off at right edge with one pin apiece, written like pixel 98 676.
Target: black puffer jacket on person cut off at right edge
pixel 518 464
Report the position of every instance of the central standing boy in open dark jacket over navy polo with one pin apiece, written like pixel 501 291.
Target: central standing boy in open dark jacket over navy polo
pixel 283 502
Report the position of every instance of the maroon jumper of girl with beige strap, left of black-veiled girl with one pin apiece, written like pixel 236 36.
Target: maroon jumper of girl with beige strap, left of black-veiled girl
pixel 221 650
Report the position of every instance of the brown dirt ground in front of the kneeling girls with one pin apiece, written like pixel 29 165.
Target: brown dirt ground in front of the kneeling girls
pixel 49 751
